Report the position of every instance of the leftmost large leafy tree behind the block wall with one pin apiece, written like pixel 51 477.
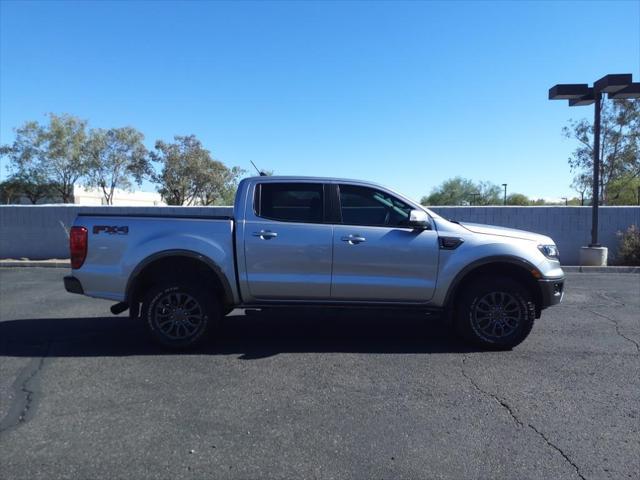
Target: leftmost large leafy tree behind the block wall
pixel 52 154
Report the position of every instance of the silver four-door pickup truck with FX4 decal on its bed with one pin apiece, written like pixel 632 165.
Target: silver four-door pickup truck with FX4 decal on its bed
pixel 322 242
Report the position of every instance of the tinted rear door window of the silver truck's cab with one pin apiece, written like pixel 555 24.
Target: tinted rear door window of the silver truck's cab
pixel 291 202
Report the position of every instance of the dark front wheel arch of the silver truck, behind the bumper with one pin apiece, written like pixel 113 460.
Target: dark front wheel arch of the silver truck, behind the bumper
pixel 503 266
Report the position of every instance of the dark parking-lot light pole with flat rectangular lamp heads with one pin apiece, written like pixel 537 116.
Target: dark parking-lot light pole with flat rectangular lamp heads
pixel 616 86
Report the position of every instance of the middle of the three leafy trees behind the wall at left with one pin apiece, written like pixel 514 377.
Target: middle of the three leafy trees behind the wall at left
pixel 117 160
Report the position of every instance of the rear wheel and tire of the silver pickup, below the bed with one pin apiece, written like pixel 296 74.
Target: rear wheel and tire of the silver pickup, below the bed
pixel 180 316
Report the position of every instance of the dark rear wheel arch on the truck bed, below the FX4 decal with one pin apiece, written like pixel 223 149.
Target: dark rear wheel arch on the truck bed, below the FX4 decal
pixel 187 263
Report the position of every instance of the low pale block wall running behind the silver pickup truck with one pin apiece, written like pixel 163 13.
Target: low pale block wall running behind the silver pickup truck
pixel 40 231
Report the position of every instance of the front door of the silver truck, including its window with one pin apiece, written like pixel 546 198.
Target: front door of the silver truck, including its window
pixel 376 256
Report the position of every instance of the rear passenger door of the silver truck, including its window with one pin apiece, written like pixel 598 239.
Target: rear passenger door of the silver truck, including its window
pixel 287 244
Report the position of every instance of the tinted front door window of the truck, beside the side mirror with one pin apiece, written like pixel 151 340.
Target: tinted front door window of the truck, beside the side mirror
pixel 366 206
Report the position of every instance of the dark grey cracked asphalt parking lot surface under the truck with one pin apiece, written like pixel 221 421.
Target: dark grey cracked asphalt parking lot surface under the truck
pixel 317 394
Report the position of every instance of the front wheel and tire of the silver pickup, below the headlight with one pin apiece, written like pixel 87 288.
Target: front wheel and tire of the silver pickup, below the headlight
pixel 494 313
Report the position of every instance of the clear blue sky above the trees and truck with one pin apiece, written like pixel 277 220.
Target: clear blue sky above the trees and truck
pixel 405 94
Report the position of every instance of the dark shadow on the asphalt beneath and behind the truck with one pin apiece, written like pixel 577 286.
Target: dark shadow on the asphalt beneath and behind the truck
pixel 250 334
